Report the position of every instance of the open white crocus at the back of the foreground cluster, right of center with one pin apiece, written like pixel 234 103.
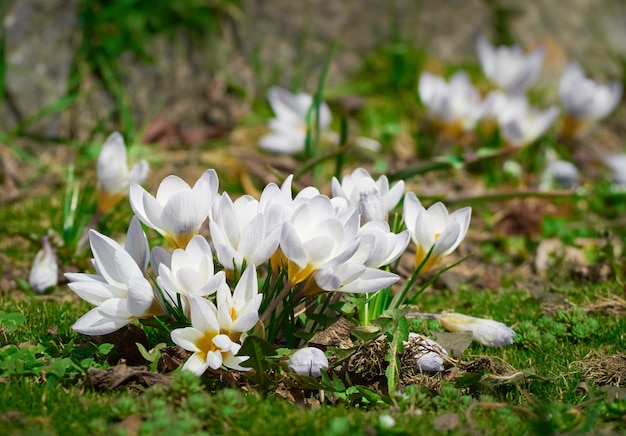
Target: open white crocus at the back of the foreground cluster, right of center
pixel 372 198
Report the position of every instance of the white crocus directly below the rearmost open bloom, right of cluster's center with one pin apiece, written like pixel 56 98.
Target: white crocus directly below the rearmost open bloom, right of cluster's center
pixel 379 246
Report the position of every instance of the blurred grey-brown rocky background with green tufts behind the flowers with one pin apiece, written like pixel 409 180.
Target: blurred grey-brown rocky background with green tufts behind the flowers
pixel 73 68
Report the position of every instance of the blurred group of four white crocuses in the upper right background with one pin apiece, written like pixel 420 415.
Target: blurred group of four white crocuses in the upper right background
pixel 456 106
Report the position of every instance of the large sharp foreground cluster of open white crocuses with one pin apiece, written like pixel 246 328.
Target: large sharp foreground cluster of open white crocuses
pixel 311 243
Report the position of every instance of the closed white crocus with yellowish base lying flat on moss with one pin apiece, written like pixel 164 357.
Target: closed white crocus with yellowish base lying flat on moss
pixel 486 331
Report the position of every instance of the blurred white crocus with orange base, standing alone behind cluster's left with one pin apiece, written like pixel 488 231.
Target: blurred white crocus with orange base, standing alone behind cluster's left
pixel 114 179
